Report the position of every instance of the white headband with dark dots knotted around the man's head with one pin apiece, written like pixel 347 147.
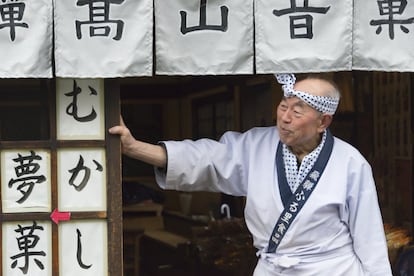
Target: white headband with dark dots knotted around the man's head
pixel 321 103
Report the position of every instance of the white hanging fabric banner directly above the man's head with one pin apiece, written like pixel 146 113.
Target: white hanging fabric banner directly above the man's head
pixel 303 36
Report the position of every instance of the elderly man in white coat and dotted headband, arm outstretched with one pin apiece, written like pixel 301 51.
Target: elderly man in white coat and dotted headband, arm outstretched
pixel 311 202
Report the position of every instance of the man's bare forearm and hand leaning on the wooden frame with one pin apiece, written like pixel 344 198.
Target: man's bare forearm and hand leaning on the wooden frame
pixel 149 153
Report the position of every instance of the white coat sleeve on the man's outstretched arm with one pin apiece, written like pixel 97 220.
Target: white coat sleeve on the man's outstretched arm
pixel 205 165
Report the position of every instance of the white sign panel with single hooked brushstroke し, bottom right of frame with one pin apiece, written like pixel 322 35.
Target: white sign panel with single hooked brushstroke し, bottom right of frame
pixel 83 248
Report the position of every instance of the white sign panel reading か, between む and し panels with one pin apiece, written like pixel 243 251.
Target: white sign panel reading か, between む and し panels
pixel 82 179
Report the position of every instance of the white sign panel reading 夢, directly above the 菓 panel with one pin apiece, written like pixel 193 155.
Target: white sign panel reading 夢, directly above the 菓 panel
pixel 25 181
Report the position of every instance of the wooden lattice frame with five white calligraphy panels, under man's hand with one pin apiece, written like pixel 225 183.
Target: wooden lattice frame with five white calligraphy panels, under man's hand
pixel 59 231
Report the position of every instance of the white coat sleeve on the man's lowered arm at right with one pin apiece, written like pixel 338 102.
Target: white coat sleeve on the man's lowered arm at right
pixel 366 225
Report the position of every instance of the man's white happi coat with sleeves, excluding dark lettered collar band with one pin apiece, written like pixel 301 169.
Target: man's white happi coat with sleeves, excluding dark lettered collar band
pixel 339 231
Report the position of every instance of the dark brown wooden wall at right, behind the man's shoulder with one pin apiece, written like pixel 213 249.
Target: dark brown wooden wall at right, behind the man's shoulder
pixel 385 134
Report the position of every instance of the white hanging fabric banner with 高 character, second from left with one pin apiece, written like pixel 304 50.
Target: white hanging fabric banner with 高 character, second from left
pixel 103 38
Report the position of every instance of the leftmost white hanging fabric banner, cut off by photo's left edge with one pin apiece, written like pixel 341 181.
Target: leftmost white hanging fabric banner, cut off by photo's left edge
pixel 26 39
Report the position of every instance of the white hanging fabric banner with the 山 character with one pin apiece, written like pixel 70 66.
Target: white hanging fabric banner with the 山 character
pixel 204 37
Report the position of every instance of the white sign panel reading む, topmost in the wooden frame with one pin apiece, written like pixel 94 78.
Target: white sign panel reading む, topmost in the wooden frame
pixel 80 109
